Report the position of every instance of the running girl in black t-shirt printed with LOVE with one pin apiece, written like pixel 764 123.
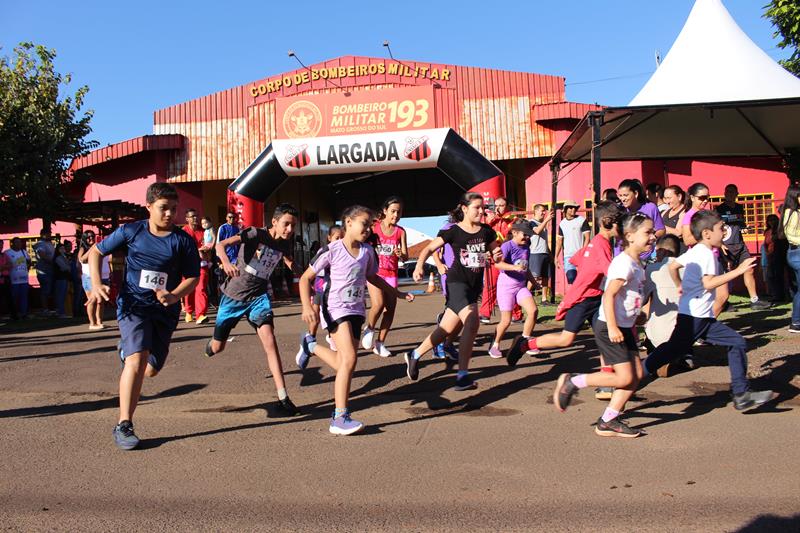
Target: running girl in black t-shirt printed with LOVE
pixel 472 243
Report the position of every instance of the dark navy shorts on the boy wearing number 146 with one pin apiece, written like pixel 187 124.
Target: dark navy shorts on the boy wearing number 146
pixel 149 329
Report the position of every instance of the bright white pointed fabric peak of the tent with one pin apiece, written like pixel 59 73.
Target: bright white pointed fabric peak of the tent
pixel 713 60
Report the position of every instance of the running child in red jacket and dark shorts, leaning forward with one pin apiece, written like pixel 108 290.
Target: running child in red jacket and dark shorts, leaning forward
pixel 583 297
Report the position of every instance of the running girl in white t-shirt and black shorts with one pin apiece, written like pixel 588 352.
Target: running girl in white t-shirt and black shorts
pixel 613 330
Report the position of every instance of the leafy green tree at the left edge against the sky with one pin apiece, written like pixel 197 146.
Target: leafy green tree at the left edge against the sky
pixel 41 131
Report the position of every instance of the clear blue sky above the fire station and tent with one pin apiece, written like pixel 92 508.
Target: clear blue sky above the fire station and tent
pixel 137 57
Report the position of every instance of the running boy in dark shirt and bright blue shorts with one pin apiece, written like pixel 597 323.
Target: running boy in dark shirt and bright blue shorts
pixel 244 292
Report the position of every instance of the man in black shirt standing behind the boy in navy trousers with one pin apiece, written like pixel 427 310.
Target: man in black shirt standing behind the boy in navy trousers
pixel 735 250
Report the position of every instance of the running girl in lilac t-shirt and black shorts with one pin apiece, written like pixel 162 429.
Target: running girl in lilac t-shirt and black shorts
pixel 351 263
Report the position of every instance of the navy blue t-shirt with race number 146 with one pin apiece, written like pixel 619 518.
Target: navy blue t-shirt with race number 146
pixel 151 262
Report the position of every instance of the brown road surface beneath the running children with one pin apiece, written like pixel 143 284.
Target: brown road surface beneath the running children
pixel 215 456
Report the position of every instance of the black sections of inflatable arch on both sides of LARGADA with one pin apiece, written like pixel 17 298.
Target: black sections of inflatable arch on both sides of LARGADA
pixel 458 160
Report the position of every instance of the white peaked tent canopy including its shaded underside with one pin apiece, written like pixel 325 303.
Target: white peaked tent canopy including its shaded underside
pixel 715 95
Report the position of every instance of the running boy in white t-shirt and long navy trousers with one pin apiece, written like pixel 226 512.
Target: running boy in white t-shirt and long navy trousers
pixel 696 314
